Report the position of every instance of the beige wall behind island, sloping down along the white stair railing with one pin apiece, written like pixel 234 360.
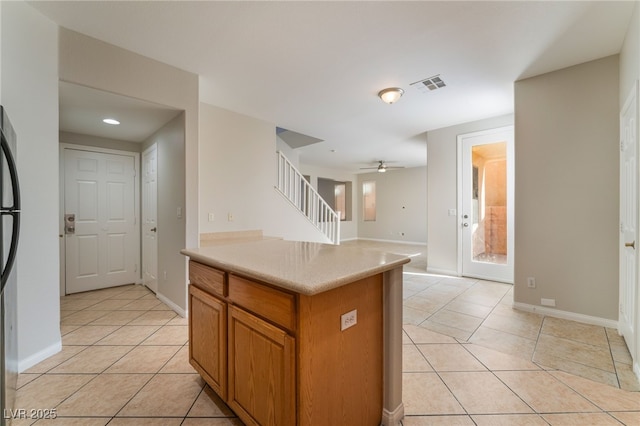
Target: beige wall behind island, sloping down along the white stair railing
pixel 238 172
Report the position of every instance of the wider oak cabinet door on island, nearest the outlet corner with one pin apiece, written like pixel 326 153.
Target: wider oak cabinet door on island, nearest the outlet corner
pixel 261 371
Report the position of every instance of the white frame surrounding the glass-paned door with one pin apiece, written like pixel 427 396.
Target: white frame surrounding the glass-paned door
pixel 510 200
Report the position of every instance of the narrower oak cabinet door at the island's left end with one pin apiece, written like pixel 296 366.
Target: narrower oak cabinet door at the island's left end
pixel 207 338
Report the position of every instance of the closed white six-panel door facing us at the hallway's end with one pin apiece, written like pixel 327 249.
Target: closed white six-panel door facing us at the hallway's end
pixel 101 236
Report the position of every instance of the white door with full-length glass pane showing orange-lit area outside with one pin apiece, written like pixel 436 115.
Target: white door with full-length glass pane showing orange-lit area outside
pixel 485 204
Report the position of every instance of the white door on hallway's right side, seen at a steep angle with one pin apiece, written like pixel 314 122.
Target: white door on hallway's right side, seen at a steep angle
pixel 150 218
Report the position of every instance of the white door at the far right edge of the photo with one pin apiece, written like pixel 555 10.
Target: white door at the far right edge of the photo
pixel 628 317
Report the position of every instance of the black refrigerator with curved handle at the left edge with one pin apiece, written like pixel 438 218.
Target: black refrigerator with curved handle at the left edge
pixel 9 232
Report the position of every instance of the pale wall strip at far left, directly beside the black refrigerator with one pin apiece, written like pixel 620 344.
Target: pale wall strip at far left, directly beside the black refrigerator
pixel 29 57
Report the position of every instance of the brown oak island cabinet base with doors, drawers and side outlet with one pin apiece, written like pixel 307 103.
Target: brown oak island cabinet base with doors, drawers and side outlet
pixel 281 358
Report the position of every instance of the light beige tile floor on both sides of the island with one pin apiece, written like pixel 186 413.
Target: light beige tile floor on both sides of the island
pixel 469 359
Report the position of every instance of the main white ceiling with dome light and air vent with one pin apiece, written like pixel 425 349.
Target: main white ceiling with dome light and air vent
pixel 316 67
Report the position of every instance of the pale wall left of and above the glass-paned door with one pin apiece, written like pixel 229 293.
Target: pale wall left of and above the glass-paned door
pixel 442 191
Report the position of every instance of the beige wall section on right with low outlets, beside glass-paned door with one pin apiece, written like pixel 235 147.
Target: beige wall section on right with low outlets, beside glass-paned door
pixel 566 201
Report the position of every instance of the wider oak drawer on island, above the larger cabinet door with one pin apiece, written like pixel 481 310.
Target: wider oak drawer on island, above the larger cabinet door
pixel 269 303
